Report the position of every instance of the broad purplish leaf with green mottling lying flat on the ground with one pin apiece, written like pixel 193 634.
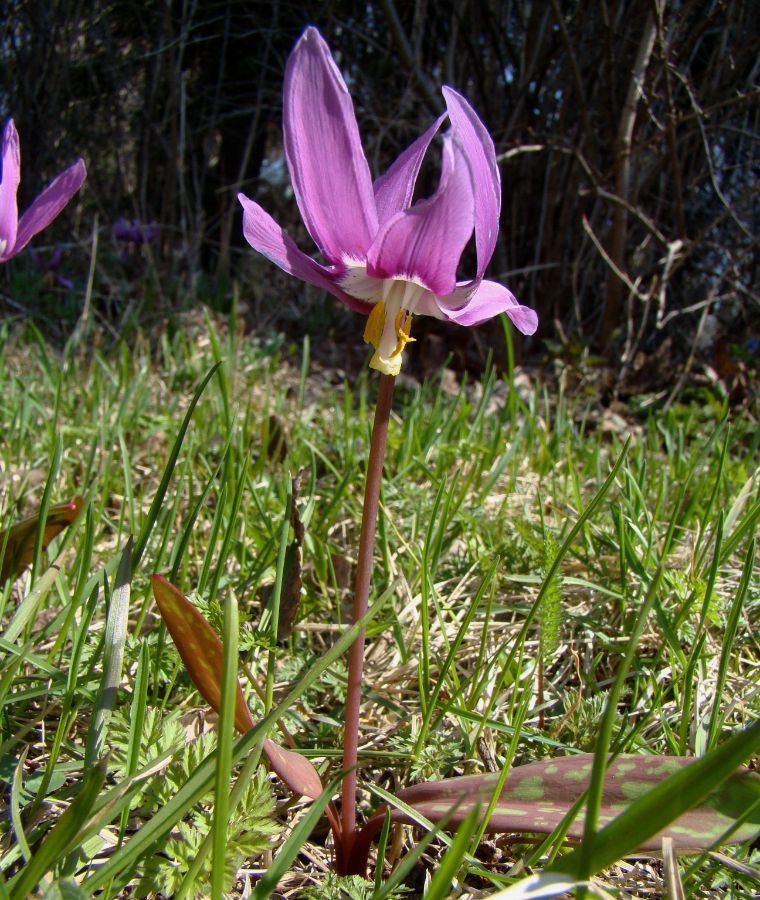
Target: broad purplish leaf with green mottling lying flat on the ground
pixel 536 797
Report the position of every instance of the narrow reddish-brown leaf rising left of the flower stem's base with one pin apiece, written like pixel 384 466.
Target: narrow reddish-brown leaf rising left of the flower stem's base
pixel 202 652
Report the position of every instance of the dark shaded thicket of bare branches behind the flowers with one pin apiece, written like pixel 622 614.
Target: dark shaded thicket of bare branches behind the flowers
pixel 627 134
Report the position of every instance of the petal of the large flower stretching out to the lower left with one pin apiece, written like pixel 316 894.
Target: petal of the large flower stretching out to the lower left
pixel 265 235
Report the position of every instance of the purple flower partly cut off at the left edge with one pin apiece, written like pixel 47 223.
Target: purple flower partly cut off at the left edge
pixel 16 233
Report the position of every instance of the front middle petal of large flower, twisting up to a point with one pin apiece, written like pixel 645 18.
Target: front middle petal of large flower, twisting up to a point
pixel 424 243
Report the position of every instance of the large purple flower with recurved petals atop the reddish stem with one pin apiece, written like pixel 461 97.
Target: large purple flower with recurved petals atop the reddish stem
pixel 386 257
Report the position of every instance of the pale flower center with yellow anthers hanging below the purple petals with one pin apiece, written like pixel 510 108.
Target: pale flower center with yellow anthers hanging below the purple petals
pixel 389 324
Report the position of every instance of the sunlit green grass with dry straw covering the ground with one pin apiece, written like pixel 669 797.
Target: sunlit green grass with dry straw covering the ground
pixel 482 488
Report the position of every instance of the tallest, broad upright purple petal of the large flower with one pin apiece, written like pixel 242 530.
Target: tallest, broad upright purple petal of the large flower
pixel 327 165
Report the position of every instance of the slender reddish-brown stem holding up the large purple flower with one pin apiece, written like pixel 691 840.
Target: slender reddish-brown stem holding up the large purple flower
pixel 361 595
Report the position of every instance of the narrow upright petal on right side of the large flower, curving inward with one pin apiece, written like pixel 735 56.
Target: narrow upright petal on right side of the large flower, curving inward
pixel 481 155
